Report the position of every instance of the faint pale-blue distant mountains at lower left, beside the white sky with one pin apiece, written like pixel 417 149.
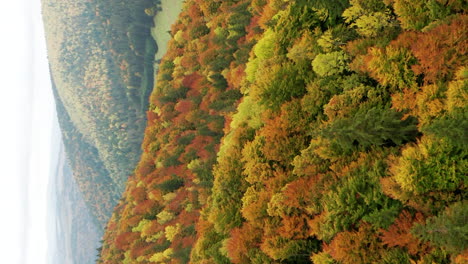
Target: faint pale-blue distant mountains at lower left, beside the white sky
pixel 74 234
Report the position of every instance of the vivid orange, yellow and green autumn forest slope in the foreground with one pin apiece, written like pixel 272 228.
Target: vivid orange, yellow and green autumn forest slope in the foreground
pixel 303 132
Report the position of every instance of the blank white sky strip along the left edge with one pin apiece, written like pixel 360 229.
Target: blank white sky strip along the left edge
pixel 26 115
